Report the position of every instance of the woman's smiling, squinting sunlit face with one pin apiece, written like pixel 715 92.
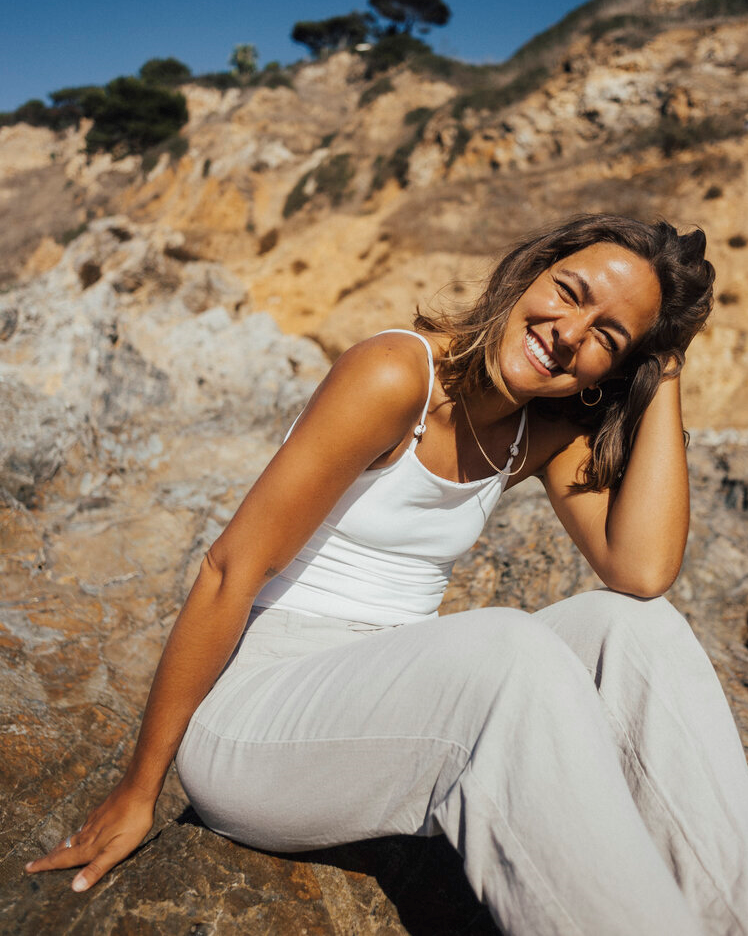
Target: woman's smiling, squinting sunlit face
pixel 578 321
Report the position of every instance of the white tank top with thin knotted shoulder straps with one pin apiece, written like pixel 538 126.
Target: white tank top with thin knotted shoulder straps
pixel 384 553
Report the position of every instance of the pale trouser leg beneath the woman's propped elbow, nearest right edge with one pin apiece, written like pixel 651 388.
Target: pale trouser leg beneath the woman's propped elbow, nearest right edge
pixel 679 748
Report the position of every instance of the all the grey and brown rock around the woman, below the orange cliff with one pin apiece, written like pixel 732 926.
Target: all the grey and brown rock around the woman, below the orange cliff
pixel 104 525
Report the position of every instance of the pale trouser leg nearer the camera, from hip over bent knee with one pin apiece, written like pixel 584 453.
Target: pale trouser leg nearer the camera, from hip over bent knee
pixel 483 725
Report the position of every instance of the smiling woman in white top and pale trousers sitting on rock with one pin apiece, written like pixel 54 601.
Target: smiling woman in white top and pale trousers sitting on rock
pixel 583 759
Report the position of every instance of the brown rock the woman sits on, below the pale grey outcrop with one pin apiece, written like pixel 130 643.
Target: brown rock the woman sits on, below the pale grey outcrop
pixel 81 629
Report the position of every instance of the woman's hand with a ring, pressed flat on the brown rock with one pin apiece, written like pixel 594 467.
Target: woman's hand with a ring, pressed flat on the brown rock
pixel 109 834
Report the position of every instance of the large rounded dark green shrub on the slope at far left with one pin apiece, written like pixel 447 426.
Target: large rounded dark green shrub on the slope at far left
pixel 131 116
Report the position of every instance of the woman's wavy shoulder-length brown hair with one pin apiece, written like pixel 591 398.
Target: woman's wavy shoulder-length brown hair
pixel 685 277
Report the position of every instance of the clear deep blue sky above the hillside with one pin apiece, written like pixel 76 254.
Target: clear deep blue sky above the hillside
pixel 49 44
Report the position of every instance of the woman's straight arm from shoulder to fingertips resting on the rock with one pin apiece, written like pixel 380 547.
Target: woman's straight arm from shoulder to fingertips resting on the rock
pixel 364 408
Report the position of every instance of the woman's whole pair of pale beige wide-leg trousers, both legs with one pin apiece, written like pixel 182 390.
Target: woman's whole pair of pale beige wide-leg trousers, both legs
pixel 583 760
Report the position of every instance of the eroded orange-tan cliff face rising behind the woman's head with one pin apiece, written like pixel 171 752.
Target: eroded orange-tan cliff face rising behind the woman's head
pixel 423 185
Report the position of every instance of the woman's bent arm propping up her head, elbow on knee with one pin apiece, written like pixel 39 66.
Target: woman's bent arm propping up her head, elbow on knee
pixel 633 538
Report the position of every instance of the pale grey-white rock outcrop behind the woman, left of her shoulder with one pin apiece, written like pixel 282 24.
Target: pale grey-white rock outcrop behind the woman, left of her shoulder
pixel 78 335
